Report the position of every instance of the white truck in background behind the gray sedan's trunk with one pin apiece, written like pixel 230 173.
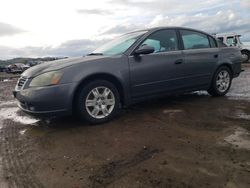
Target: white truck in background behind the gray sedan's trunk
pixel 233 39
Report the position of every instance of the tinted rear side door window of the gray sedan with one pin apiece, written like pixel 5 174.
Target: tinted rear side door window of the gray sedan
pixel 194 40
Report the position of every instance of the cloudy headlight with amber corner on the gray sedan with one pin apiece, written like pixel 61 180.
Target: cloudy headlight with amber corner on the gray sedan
pixel 46 79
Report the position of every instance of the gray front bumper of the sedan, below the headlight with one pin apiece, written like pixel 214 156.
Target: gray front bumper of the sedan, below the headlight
pixel 46 101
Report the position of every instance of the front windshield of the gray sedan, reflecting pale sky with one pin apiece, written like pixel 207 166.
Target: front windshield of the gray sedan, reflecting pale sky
pixel 119 45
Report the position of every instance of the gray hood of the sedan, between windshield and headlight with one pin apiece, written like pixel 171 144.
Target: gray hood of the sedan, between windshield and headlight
pixel 58 64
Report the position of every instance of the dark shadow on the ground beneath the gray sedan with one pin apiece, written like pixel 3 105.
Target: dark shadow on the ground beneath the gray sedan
pixel 69 122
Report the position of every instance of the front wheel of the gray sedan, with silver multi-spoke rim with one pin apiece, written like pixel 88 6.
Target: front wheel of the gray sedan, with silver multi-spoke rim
pixel 94 106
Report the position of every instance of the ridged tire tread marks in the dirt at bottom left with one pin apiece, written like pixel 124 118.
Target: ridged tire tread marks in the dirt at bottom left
pixel 17 157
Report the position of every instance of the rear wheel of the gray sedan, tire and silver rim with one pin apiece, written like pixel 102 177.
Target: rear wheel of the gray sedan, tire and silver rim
pixel 221 82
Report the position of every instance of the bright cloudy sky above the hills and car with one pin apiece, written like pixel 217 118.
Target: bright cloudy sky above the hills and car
pixel 42 28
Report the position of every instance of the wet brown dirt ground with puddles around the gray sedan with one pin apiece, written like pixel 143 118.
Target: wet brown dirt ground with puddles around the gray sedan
pixel 186 141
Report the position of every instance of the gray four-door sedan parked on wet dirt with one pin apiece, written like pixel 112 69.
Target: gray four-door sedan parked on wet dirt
pixel 134 67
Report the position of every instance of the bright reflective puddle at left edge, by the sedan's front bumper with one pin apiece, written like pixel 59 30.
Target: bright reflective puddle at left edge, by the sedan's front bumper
pixel 12 114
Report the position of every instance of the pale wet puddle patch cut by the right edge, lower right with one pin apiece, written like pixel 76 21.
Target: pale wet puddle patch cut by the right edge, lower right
pixel 240 138
